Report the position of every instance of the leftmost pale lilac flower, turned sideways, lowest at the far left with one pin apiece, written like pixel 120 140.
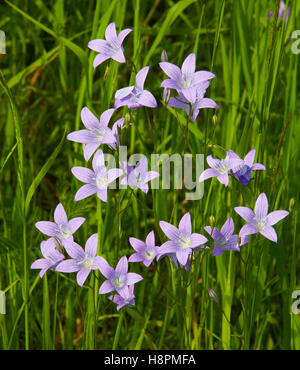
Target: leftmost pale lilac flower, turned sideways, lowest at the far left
pixel 52 257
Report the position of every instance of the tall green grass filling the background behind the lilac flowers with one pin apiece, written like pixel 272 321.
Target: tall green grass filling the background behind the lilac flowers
pixel 47 77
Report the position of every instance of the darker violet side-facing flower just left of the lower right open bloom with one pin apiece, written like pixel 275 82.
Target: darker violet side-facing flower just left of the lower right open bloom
pixel 224 240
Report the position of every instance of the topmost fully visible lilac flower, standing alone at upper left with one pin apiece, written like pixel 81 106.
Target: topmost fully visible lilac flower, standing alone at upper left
pixel 111 47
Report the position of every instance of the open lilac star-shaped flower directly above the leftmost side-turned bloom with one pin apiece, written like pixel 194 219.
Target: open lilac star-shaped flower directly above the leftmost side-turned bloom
pixel 62 229
